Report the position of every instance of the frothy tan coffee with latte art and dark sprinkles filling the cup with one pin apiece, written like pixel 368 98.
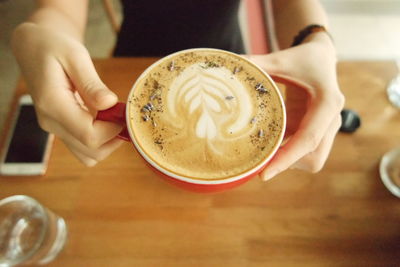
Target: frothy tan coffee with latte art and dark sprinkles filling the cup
pixel 205 114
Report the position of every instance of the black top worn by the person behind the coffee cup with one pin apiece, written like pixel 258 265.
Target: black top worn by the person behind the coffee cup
pixel 160 27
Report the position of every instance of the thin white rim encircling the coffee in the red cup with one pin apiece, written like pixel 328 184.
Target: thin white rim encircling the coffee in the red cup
pixel 191 180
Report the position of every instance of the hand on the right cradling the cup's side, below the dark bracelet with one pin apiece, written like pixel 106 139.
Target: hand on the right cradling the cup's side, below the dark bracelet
pixel 313 105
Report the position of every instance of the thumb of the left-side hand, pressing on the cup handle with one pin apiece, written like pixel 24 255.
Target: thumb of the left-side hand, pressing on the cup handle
pixel 95 94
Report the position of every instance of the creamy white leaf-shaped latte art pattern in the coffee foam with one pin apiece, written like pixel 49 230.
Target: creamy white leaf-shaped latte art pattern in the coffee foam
pixel 198 87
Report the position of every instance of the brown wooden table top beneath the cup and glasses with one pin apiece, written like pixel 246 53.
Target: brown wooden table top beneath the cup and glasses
pixel 120 214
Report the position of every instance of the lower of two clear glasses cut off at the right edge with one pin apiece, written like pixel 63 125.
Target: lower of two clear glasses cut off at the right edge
pixel 390 171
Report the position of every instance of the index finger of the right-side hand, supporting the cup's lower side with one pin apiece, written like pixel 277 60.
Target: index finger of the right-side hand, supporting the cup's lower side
pixel 311 131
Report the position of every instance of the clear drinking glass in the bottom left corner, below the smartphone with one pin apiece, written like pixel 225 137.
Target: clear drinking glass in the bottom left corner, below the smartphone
pixel 29 232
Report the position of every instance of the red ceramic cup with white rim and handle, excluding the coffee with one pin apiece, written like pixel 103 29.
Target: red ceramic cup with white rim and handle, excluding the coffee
pixel 119 114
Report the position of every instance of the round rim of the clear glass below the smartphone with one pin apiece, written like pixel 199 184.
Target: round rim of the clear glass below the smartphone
pixel 42 210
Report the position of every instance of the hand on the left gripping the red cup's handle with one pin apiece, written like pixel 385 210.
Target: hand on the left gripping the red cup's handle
pixel 66 90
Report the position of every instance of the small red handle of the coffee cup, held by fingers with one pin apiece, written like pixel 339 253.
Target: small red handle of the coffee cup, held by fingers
pixel 116 114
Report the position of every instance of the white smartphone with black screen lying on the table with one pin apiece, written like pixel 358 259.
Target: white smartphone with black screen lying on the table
pixel 27 147
